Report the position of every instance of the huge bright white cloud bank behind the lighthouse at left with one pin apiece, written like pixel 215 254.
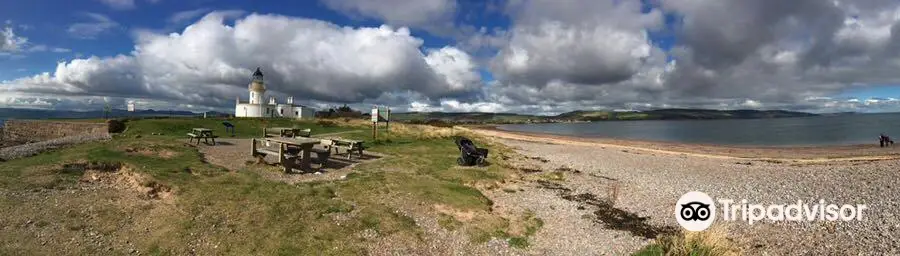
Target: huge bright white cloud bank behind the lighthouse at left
pixel 209 64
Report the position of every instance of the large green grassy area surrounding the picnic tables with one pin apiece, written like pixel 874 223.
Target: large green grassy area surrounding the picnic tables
pixel 241 212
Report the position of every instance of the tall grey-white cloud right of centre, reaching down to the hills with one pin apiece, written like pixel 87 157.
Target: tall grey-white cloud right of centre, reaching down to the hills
pixel 579 55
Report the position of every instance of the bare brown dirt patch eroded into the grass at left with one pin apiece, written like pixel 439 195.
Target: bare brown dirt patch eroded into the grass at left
pixel 116 175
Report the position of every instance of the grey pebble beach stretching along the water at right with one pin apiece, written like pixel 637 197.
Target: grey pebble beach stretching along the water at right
pixel 651 183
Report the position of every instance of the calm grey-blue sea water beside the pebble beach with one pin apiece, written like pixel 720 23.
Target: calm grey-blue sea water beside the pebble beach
pixel 825 130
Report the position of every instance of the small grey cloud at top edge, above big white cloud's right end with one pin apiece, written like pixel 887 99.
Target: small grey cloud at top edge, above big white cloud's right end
pixel 435 16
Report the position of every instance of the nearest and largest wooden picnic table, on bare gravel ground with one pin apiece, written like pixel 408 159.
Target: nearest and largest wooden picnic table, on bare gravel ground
pixel 290 150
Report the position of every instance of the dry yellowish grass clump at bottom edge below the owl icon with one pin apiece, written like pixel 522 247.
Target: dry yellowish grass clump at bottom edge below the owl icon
pixel 713 241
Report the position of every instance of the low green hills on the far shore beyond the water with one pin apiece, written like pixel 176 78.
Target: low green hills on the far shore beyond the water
pixel 586 115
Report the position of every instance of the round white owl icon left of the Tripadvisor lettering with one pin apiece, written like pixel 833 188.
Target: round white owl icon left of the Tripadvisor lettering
pixel 695 211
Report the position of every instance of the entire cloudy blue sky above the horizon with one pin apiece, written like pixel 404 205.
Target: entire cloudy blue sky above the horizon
pixel 498 55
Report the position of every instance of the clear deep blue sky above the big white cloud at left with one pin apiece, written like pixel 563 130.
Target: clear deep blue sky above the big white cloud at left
pixel 48 26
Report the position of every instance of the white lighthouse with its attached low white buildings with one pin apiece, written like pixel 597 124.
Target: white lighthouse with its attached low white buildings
pixel 256 108
